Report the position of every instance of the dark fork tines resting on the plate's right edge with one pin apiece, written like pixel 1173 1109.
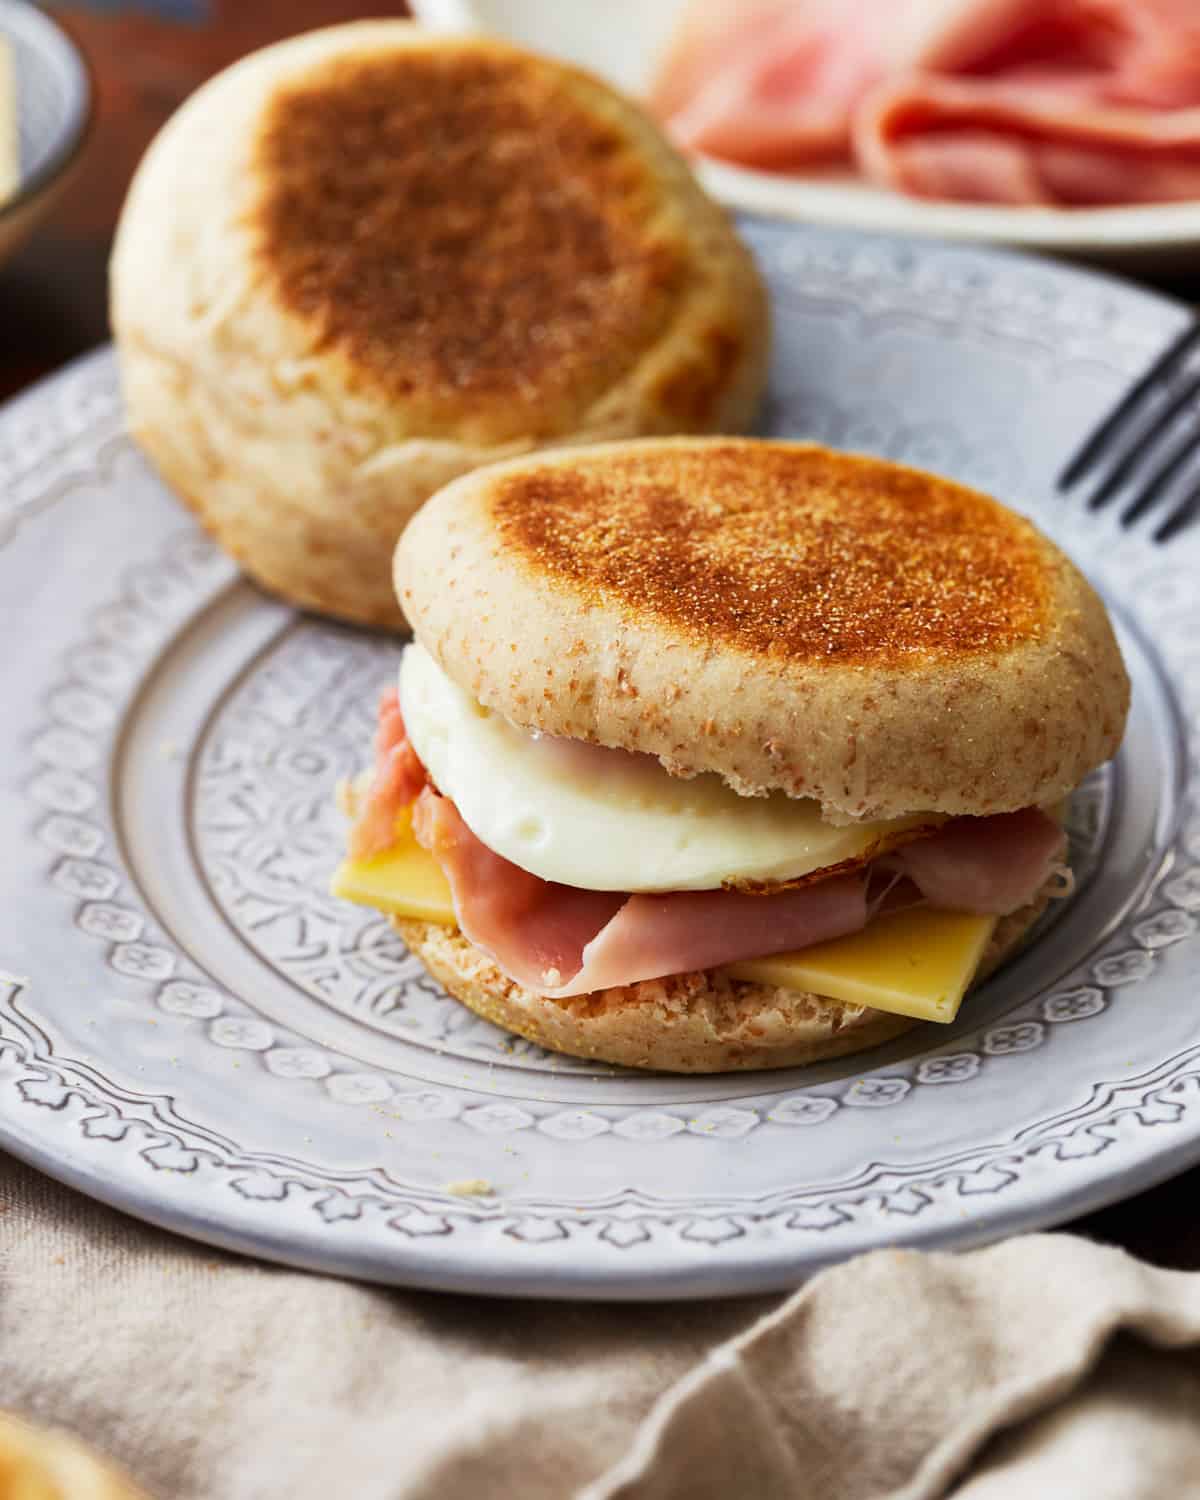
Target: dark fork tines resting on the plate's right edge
pixel 1142 448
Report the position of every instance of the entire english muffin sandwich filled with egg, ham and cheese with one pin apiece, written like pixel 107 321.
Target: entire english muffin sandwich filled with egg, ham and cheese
pixel 716 754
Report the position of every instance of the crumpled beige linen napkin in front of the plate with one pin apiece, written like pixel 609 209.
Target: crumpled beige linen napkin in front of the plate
pixel 1042 1367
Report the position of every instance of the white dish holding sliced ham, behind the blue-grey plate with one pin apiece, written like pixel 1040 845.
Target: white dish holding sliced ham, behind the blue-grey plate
pixel 623 40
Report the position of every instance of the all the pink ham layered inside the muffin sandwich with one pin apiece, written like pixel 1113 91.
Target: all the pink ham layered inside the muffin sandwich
pixel 562 941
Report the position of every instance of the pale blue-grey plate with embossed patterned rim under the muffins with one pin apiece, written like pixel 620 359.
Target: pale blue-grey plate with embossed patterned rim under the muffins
pixel 193 1030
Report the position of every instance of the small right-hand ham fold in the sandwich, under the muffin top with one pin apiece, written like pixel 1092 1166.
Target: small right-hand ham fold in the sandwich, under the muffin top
pixel 992 866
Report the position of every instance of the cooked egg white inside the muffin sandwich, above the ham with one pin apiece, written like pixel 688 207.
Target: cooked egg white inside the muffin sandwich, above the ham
pixel 605 820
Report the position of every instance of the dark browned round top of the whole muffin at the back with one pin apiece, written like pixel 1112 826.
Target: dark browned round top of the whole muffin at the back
pixel 467 224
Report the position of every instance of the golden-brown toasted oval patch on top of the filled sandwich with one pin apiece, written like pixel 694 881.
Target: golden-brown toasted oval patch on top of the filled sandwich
pixel 802 553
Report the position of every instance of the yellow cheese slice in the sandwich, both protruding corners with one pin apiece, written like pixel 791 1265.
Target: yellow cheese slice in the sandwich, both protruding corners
pixel 914 964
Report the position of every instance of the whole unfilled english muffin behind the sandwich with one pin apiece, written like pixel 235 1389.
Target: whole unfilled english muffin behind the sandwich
pixel 371 259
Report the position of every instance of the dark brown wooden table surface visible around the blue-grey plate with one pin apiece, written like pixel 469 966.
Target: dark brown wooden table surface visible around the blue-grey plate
pixel 53 308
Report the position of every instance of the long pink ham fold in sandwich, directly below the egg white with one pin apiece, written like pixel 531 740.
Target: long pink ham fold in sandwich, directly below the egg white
pixel 560 941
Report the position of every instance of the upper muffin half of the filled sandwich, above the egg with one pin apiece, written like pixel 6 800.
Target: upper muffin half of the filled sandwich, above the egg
pixel 833 626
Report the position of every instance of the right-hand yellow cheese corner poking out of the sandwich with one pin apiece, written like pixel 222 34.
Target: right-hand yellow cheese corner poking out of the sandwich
pixel 914 964
